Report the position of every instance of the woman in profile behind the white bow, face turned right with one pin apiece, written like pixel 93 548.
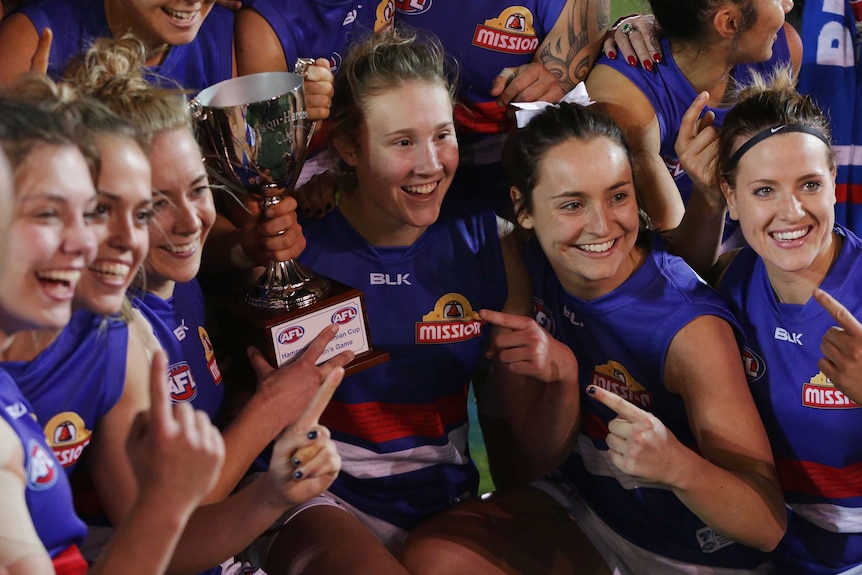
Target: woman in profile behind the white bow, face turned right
pixel 708 45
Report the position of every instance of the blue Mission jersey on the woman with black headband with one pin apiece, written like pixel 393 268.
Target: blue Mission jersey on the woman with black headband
pixel 815 430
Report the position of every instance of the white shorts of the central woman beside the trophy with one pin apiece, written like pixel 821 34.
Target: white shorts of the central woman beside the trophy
pixel 391 536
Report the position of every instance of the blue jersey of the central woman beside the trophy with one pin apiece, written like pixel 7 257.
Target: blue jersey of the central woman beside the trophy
pixel 402 427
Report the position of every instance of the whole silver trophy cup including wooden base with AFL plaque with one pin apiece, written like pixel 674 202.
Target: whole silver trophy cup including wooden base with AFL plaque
pixel 254 131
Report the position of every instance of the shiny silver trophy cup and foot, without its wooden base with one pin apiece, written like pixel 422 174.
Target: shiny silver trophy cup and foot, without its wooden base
pixel 254 131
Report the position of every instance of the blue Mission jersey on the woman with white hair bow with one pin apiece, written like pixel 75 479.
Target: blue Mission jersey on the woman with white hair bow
pixel 621 341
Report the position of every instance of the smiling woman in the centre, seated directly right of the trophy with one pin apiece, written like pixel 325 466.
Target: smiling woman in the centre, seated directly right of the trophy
pixel 400 427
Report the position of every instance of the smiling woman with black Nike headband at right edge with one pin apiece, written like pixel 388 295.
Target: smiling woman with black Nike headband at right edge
pixel 777 171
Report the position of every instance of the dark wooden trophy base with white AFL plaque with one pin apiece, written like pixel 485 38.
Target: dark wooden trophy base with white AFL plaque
pixel 283 335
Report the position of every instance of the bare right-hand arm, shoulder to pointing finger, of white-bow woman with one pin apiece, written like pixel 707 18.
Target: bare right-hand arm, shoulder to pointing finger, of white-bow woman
pixel 733 486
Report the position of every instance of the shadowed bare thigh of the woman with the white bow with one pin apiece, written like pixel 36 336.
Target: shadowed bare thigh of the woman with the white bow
pixel 520 531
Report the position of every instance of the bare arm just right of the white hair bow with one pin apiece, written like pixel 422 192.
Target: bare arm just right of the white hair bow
pixel 628 106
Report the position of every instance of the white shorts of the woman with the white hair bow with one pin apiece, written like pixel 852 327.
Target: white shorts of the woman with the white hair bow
pixel 622 556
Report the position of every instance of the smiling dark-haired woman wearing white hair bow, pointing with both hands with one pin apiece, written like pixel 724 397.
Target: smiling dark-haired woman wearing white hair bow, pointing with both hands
pixel 626 389
